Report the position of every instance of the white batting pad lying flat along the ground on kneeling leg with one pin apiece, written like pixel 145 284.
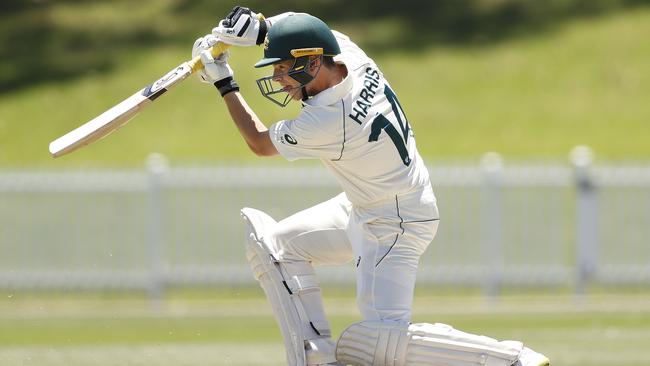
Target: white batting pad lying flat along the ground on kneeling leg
pixel 383 344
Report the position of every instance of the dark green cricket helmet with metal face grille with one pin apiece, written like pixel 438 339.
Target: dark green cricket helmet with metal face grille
pixel 296 37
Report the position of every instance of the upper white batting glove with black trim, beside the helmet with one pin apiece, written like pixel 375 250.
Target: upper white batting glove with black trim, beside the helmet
pixel 242 27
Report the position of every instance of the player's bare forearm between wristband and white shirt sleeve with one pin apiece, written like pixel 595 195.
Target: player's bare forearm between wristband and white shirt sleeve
pixel 250 127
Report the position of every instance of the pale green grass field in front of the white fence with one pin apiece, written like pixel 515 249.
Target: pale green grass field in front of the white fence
pixel 236 327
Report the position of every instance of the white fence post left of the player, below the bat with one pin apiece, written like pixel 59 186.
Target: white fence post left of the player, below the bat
pixel 157 166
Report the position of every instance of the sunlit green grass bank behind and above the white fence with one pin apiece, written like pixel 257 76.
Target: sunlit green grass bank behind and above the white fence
pixel 586 81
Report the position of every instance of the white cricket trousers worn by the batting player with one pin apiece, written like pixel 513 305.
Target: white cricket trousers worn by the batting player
pixel 384 240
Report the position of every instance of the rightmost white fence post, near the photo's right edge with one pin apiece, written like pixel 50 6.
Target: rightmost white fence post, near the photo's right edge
pixel 586 218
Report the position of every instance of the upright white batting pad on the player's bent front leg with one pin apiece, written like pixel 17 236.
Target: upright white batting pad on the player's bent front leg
pixel 294 293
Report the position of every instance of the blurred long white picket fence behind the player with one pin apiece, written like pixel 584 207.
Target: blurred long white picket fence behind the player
pixel 501 225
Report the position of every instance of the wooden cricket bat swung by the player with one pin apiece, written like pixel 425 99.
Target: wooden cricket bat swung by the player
pixel 117 116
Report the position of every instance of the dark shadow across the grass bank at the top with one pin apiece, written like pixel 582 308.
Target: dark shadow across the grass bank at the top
pixel 35 48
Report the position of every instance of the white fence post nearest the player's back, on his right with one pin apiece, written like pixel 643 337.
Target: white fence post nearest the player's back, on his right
pixel 491 224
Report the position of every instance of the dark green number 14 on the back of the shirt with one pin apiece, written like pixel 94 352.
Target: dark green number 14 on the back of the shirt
pixel 382 123
